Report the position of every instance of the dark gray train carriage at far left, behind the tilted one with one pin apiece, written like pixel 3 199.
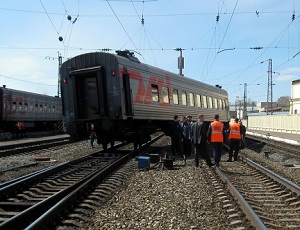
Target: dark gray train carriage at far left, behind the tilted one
pixel 39 112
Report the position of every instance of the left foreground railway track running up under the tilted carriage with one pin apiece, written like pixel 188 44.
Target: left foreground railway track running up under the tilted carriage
pixel 43 198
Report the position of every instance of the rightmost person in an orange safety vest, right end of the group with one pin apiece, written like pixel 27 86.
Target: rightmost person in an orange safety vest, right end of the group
pixel 235 136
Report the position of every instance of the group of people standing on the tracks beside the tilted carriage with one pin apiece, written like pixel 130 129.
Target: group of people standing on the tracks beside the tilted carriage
pixel 196 136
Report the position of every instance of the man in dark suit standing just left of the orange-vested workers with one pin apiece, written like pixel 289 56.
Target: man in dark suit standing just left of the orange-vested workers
pixel 200 142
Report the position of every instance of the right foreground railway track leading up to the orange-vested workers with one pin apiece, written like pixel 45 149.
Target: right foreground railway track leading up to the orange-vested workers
pixel 268 200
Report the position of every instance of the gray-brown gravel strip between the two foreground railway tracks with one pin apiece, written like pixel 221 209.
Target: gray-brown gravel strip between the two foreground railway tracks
pixel 182 198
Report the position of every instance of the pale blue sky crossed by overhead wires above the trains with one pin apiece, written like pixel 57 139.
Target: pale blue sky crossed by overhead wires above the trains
pixel 224 42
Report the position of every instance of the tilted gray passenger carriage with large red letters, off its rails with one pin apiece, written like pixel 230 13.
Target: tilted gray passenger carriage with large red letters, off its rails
pixel 123 99
